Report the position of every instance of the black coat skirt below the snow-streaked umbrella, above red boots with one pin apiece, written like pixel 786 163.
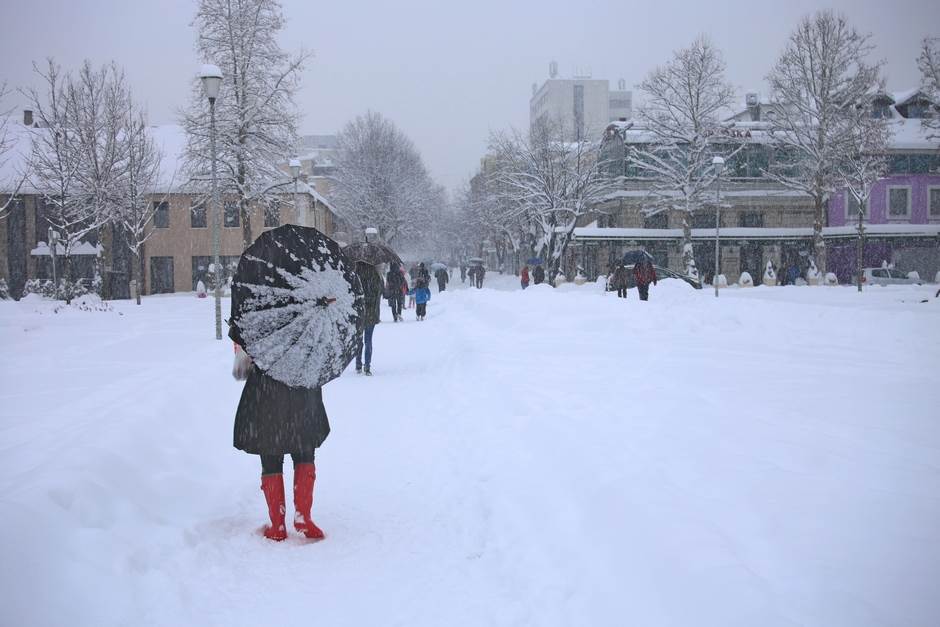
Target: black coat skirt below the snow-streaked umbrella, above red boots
pixel 275 419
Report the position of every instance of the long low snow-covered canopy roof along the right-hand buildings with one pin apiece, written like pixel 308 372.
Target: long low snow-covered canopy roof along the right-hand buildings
pixel 892 230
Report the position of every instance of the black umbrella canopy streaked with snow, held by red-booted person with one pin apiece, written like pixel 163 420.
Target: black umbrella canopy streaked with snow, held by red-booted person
pixel 296 306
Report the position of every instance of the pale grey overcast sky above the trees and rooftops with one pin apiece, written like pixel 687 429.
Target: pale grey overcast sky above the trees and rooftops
pixel 445 72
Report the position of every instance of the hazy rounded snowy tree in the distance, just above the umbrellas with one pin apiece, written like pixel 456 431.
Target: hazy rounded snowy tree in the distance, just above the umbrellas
pixel 381 181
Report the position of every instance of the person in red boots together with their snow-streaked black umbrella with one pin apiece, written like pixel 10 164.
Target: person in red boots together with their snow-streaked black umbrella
pixel 296 305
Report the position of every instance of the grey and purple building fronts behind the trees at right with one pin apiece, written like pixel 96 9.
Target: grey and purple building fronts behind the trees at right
pixel 760 221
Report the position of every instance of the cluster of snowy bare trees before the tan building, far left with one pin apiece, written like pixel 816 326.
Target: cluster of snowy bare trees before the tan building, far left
pixel 91 160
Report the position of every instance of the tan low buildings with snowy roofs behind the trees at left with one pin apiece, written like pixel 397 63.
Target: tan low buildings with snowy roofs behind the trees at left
pixel 177 254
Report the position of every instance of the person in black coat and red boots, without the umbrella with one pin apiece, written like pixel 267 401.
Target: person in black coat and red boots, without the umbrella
pixel 273 420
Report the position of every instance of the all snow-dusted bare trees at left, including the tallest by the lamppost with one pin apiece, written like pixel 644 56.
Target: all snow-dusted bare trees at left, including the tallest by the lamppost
pixel 94 162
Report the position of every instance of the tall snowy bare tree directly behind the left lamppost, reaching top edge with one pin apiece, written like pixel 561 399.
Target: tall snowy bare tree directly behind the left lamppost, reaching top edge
pixel 255 111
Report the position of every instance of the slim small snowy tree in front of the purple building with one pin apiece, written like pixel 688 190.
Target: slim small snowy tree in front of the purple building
pixel 863 164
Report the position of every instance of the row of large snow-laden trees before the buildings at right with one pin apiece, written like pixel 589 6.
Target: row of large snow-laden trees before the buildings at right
pixel 536 186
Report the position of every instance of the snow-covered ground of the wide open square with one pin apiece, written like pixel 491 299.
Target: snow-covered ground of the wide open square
pixel 547 457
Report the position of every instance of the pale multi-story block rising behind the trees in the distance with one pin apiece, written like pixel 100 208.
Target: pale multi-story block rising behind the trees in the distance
pixel 582 105
